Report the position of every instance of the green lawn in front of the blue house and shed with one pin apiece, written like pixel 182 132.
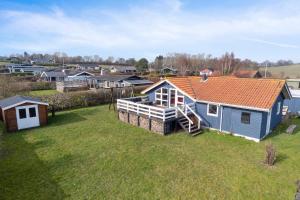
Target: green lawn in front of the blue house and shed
pixel 88 154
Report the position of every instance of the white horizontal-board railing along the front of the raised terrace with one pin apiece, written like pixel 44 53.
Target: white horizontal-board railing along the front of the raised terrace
pixel 150 111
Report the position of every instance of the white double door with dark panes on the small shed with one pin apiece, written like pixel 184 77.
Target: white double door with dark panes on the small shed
pixel 27 116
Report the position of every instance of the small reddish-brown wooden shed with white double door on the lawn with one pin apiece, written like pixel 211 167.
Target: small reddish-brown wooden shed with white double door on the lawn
pixel 21 112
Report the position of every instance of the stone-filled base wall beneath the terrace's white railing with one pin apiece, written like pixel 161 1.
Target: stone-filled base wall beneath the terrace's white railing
pixel 154 125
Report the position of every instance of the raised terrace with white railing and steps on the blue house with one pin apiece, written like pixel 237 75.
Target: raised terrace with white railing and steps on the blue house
pixel 185 114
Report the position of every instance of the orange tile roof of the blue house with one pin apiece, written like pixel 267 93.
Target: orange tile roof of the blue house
pixel 246 92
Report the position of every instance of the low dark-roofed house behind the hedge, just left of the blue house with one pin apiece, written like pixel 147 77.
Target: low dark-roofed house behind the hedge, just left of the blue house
pixel 109 81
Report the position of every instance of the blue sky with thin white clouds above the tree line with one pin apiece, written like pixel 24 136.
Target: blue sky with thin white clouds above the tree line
pixel 256 29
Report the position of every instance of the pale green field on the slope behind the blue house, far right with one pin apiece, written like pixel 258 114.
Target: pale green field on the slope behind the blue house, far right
pixel 291 71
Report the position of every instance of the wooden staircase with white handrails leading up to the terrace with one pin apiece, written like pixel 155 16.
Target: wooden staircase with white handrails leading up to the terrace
pixel 188 119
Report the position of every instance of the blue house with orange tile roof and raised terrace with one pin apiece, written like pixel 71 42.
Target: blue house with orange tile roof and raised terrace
pixel 250 108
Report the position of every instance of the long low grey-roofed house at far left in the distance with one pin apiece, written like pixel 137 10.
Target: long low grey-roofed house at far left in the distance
pixel 24 68
